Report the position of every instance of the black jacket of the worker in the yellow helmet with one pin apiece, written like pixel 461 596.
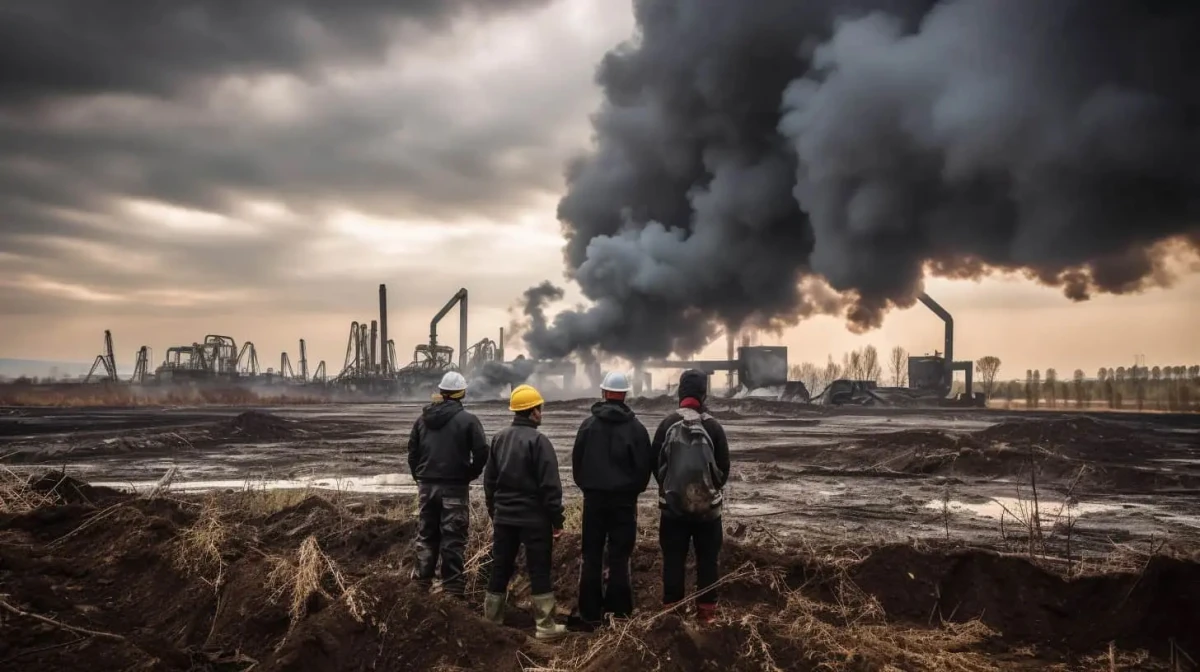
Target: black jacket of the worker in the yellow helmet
pixel 521 482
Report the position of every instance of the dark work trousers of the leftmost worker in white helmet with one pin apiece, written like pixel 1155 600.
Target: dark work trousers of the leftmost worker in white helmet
pixel 445 521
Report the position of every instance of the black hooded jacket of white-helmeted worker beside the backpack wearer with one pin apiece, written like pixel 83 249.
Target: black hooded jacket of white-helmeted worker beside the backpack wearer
pixel 613 453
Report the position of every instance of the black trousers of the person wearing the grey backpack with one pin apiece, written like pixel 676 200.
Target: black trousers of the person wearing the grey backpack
pixel 676 536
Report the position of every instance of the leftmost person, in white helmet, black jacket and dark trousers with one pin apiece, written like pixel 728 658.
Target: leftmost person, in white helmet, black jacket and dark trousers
pixel 447 451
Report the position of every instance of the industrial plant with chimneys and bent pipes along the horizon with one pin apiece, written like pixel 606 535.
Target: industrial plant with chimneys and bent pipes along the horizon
pixel 374 369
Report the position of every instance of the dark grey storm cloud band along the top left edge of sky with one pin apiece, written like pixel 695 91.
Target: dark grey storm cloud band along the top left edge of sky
pixel 77 47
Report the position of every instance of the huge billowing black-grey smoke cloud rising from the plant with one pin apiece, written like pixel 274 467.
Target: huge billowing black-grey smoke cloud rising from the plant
pixel 760 163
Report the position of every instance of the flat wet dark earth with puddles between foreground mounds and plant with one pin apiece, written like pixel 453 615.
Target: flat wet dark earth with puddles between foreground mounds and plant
pixel 800 475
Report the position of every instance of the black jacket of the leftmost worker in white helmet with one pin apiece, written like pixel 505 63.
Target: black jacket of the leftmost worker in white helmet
pixel 447 446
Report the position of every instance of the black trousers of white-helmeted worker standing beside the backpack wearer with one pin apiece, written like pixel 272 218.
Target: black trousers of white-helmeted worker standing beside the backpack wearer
pixel 614 523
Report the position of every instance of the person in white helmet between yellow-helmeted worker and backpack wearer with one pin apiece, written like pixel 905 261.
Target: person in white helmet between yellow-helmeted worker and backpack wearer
pixel 611 463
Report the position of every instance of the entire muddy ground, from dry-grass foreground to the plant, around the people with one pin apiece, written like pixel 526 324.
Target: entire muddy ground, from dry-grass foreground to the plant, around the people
pixel 856 541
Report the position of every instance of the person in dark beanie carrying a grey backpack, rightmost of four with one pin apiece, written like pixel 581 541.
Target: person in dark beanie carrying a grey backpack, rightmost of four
pixel 692 470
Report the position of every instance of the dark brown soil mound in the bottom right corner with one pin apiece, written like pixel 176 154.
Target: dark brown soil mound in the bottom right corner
pixel 1028 604
